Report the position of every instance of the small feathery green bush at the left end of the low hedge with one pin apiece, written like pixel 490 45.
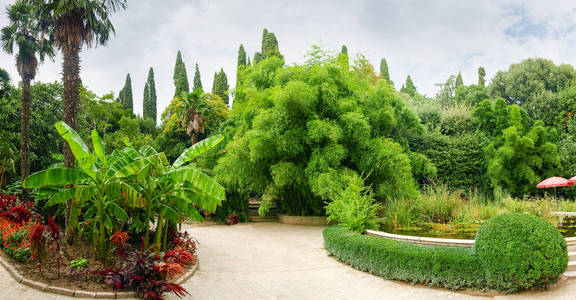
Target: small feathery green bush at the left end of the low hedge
pixel 354 206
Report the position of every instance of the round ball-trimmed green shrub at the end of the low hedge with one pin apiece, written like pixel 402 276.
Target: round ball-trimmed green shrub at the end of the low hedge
pixel 520 251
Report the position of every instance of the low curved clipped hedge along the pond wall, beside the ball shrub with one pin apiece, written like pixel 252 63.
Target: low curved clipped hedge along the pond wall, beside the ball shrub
pixel 448 267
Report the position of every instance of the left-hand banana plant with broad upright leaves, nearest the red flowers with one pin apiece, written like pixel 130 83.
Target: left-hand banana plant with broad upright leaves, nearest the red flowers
pixel 92 187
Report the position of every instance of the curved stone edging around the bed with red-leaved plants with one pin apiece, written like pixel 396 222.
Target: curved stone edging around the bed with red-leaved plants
pixel 43 287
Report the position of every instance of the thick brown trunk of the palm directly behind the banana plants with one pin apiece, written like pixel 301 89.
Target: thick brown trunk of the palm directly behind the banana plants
pixel 71 81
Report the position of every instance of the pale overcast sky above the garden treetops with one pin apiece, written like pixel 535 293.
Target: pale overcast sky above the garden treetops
pixel 429 40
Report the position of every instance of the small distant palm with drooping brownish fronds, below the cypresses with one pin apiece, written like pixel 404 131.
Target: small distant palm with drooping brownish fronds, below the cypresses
pixel 192 109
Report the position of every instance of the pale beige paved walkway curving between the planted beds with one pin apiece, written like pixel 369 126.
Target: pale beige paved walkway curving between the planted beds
pixel 276 261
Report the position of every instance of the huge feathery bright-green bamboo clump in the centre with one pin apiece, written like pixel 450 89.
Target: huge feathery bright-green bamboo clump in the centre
pixel 296 130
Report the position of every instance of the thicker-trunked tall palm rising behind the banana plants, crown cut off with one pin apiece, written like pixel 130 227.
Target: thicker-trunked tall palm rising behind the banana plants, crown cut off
pixel 76 23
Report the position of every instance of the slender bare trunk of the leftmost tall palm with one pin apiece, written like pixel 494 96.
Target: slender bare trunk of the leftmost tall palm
pixel 25 136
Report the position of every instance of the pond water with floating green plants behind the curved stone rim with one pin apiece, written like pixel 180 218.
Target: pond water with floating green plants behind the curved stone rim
pixel 467 231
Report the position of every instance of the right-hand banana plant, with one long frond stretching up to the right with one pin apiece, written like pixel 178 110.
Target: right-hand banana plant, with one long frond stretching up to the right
pixel 172 192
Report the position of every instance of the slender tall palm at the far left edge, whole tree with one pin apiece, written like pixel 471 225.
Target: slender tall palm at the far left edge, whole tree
pixel 25 32
